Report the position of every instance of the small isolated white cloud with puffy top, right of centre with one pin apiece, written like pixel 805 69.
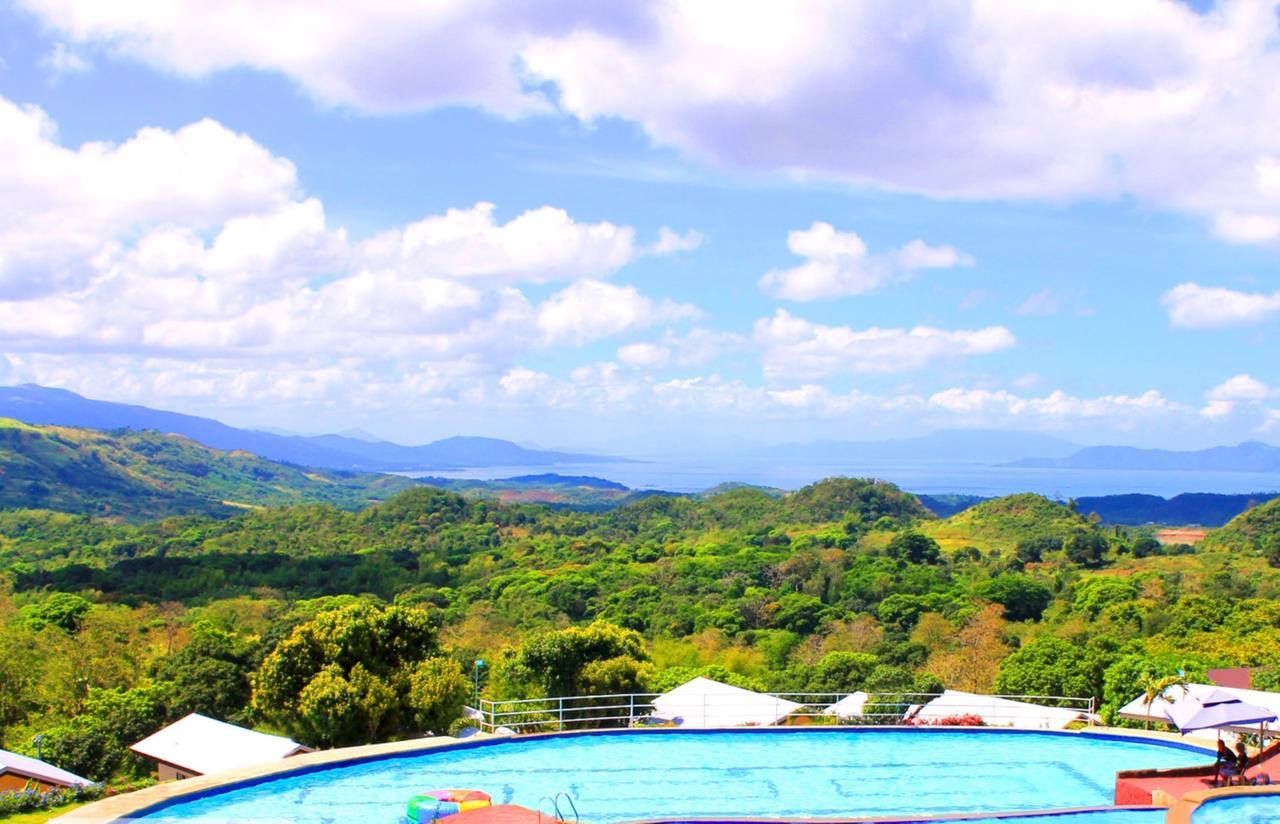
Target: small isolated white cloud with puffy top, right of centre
pixel 839 264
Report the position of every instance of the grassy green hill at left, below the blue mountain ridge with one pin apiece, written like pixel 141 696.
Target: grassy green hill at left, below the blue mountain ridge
pixel 144 475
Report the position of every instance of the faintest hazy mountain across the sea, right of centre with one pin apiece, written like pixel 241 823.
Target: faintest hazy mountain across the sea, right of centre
pixel 961 446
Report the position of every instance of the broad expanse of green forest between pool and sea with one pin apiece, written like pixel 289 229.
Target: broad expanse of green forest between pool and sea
pixel 112 629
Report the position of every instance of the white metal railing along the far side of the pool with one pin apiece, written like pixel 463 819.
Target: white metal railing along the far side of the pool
pixel 638 709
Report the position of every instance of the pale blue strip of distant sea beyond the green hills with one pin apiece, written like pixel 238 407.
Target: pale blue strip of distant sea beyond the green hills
pixel 929 478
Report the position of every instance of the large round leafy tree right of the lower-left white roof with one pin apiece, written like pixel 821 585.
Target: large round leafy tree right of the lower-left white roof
pixel 359 675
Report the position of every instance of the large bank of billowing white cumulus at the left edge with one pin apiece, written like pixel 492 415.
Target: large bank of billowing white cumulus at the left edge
pixel 198 244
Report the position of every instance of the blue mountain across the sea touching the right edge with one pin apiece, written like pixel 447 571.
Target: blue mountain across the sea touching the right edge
pixel 1249 457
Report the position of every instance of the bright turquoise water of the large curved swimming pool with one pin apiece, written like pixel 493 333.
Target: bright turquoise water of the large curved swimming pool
pixel 746 773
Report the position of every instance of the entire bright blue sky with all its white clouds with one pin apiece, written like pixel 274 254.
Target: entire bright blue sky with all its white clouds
pixel 650 226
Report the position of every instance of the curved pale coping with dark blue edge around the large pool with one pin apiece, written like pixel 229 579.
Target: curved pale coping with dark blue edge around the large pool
pixel 129 807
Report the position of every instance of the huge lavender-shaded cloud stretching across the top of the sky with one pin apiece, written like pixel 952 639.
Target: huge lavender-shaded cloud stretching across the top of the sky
pixel 1035 100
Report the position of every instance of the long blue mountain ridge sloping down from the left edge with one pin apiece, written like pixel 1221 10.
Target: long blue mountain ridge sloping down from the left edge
pixel 42 405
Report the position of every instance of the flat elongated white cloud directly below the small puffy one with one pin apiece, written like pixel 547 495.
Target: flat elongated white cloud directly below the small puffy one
pixel 793 349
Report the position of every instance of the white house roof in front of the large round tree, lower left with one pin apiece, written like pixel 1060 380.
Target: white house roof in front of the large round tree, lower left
pixel 202 745
